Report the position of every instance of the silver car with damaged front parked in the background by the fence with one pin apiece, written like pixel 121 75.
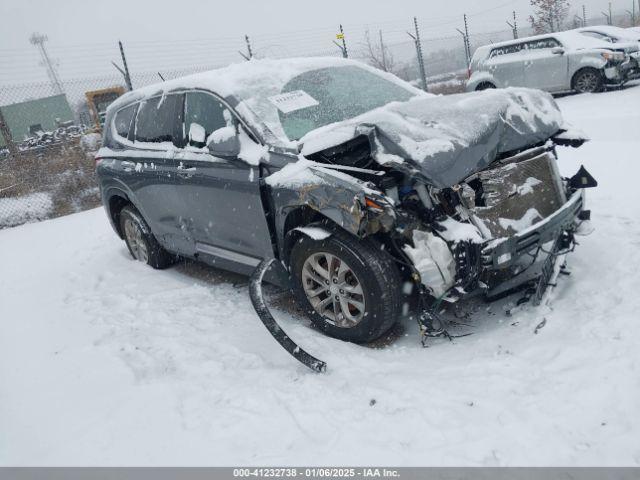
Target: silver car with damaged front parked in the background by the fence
pixel 557 62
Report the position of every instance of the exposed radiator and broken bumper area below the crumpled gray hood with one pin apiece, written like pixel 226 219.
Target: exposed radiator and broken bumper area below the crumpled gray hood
pixel 505 227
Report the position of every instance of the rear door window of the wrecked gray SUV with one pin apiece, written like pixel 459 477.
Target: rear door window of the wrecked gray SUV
pixel 160 120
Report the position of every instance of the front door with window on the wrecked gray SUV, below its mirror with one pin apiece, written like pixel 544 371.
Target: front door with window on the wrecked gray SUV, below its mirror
pixel 221 195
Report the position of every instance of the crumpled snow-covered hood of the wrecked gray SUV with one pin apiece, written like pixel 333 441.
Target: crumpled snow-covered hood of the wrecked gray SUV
pixel 447 138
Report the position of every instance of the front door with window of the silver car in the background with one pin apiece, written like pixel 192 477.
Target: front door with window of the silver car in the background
pixel 544 69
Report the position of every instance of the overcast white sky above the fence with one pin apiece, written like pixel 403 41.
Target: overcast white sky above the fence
pixel 160 33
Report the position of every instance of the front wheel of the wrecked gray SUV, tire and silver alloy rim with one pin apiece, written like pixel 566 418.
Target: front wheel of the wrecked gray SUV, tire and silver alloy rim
pixel 349 288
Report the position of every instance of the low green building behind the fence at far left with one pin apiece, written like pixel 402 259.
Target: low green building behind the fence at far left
pixel 25 118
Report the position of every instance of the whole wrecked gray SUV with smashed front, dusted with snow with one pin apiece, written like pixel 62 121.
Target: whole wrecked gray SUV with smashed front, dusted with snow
pixel 365 190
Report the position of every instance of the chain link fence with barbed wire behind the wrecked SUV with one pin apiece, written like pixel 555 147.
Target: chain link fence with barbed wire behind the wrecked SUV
pixel 47 169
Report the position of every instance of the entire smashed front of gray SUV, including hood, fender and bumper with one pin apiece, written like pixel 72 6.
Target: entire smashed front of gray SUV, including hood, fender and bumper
pixel 479 214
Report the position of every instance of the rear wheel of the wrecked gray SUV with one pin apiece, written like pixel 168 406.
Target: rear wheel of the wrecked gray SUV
pixel 141 243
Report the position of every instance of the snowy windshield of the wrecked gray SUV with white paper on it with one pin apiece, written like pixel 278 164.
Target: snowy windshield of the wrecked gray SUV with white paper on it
pixel 319 97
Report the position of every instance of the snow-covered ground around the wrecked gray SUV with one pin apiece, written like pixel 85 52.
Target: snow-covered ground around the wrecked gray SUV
pixel 104 361
